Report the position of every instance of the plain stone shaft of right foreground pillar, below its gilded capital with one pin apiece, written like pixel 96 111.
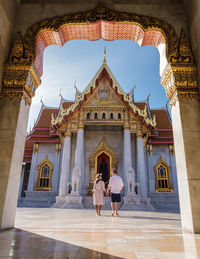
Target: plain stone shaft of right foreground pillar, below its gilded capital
pixel 186 130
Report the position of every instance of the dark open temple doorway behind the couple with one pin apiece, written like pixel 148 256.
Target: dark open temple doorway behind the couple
pixel 103 167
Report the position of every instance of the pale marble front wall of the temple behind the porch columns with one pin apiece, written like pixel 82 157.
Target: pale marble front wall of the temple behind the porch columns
pixel 92 139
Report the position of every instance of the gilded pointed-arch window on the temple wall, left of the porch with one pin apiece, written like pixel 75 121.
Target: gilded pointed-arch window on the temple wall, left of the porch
pixel 44 179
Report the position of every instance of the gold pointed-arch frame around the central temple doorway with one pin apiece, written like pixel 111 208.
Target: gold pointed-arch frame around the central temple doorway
pixel 102 148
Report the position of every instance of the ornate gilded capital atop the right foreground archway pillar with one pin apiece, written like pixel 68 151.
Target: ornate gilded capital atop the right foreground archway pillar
pixel 179 78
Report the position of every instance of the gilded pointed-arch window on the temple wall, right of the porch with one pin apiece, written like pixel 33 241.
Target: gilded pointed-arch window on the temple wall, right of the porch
pixel 163 182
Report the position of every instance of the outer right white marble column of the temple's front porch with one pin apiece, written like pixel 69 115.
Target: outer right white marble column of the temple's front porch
pixel 141 171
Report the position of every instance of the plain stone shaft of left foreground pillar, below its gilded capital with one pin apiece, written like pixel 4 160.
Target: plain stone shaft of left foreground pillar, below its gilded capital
pixel 14 118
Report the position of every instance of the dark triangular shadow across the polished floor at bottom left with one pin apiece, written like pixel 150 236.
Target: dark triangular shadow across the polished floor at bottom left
pixel 20 244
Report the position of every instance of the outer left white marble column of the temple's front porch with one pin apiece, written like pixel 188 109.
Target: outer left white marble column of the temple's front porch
pixel 65 166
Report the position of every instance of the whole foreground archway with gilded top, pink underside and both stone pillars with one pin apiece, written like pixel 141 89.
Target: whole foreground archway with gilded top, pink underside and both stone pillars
pixel 178 72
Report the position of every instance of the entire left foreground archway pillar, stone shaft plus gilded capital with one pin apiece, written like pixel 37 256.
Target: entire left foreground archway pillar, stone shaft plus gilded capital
pixel 20 81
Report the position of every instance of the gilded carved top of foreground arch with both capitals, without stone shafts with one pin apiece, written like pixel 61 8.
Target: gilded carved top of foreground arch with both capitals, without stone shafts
pixel 23 69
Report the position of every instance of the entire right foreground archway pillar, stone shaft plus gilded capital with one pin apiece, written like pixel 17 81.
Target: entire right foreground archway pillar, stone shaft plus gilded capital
pixel 180 83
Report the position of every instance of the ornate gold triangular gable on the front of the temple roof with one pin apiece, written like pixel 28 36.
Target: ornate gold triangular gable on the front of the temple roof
pixel 103 90
